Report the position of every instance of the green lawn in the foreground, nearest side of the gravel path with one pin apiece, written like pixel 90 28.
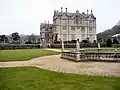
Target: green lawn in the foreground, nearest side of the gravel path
pixel 30 78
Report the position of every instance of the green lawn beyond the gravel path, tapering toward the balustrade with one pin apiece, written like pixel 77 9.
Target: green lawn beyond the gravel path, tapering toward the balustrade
pixel 24 54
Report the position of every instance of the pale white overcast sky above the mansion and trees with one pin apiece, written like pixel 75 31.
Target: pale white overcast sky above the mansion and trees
pixel 25 16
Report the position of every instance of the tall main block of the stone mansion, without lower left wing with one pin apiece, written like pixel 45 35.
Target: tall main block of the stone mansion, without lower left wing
pixel 73 26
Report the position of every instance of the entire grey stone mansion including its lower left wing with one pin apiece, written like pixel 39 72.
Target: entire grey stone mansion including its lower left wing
pixel 69 26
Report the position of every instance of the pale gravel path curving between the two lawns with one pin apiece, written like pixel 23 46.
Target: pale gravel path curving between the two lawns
pixel 55 63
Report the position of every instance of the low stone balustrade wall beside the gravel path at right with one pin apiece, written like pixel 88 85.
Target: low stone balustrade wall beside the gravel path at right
pixel 91 56
